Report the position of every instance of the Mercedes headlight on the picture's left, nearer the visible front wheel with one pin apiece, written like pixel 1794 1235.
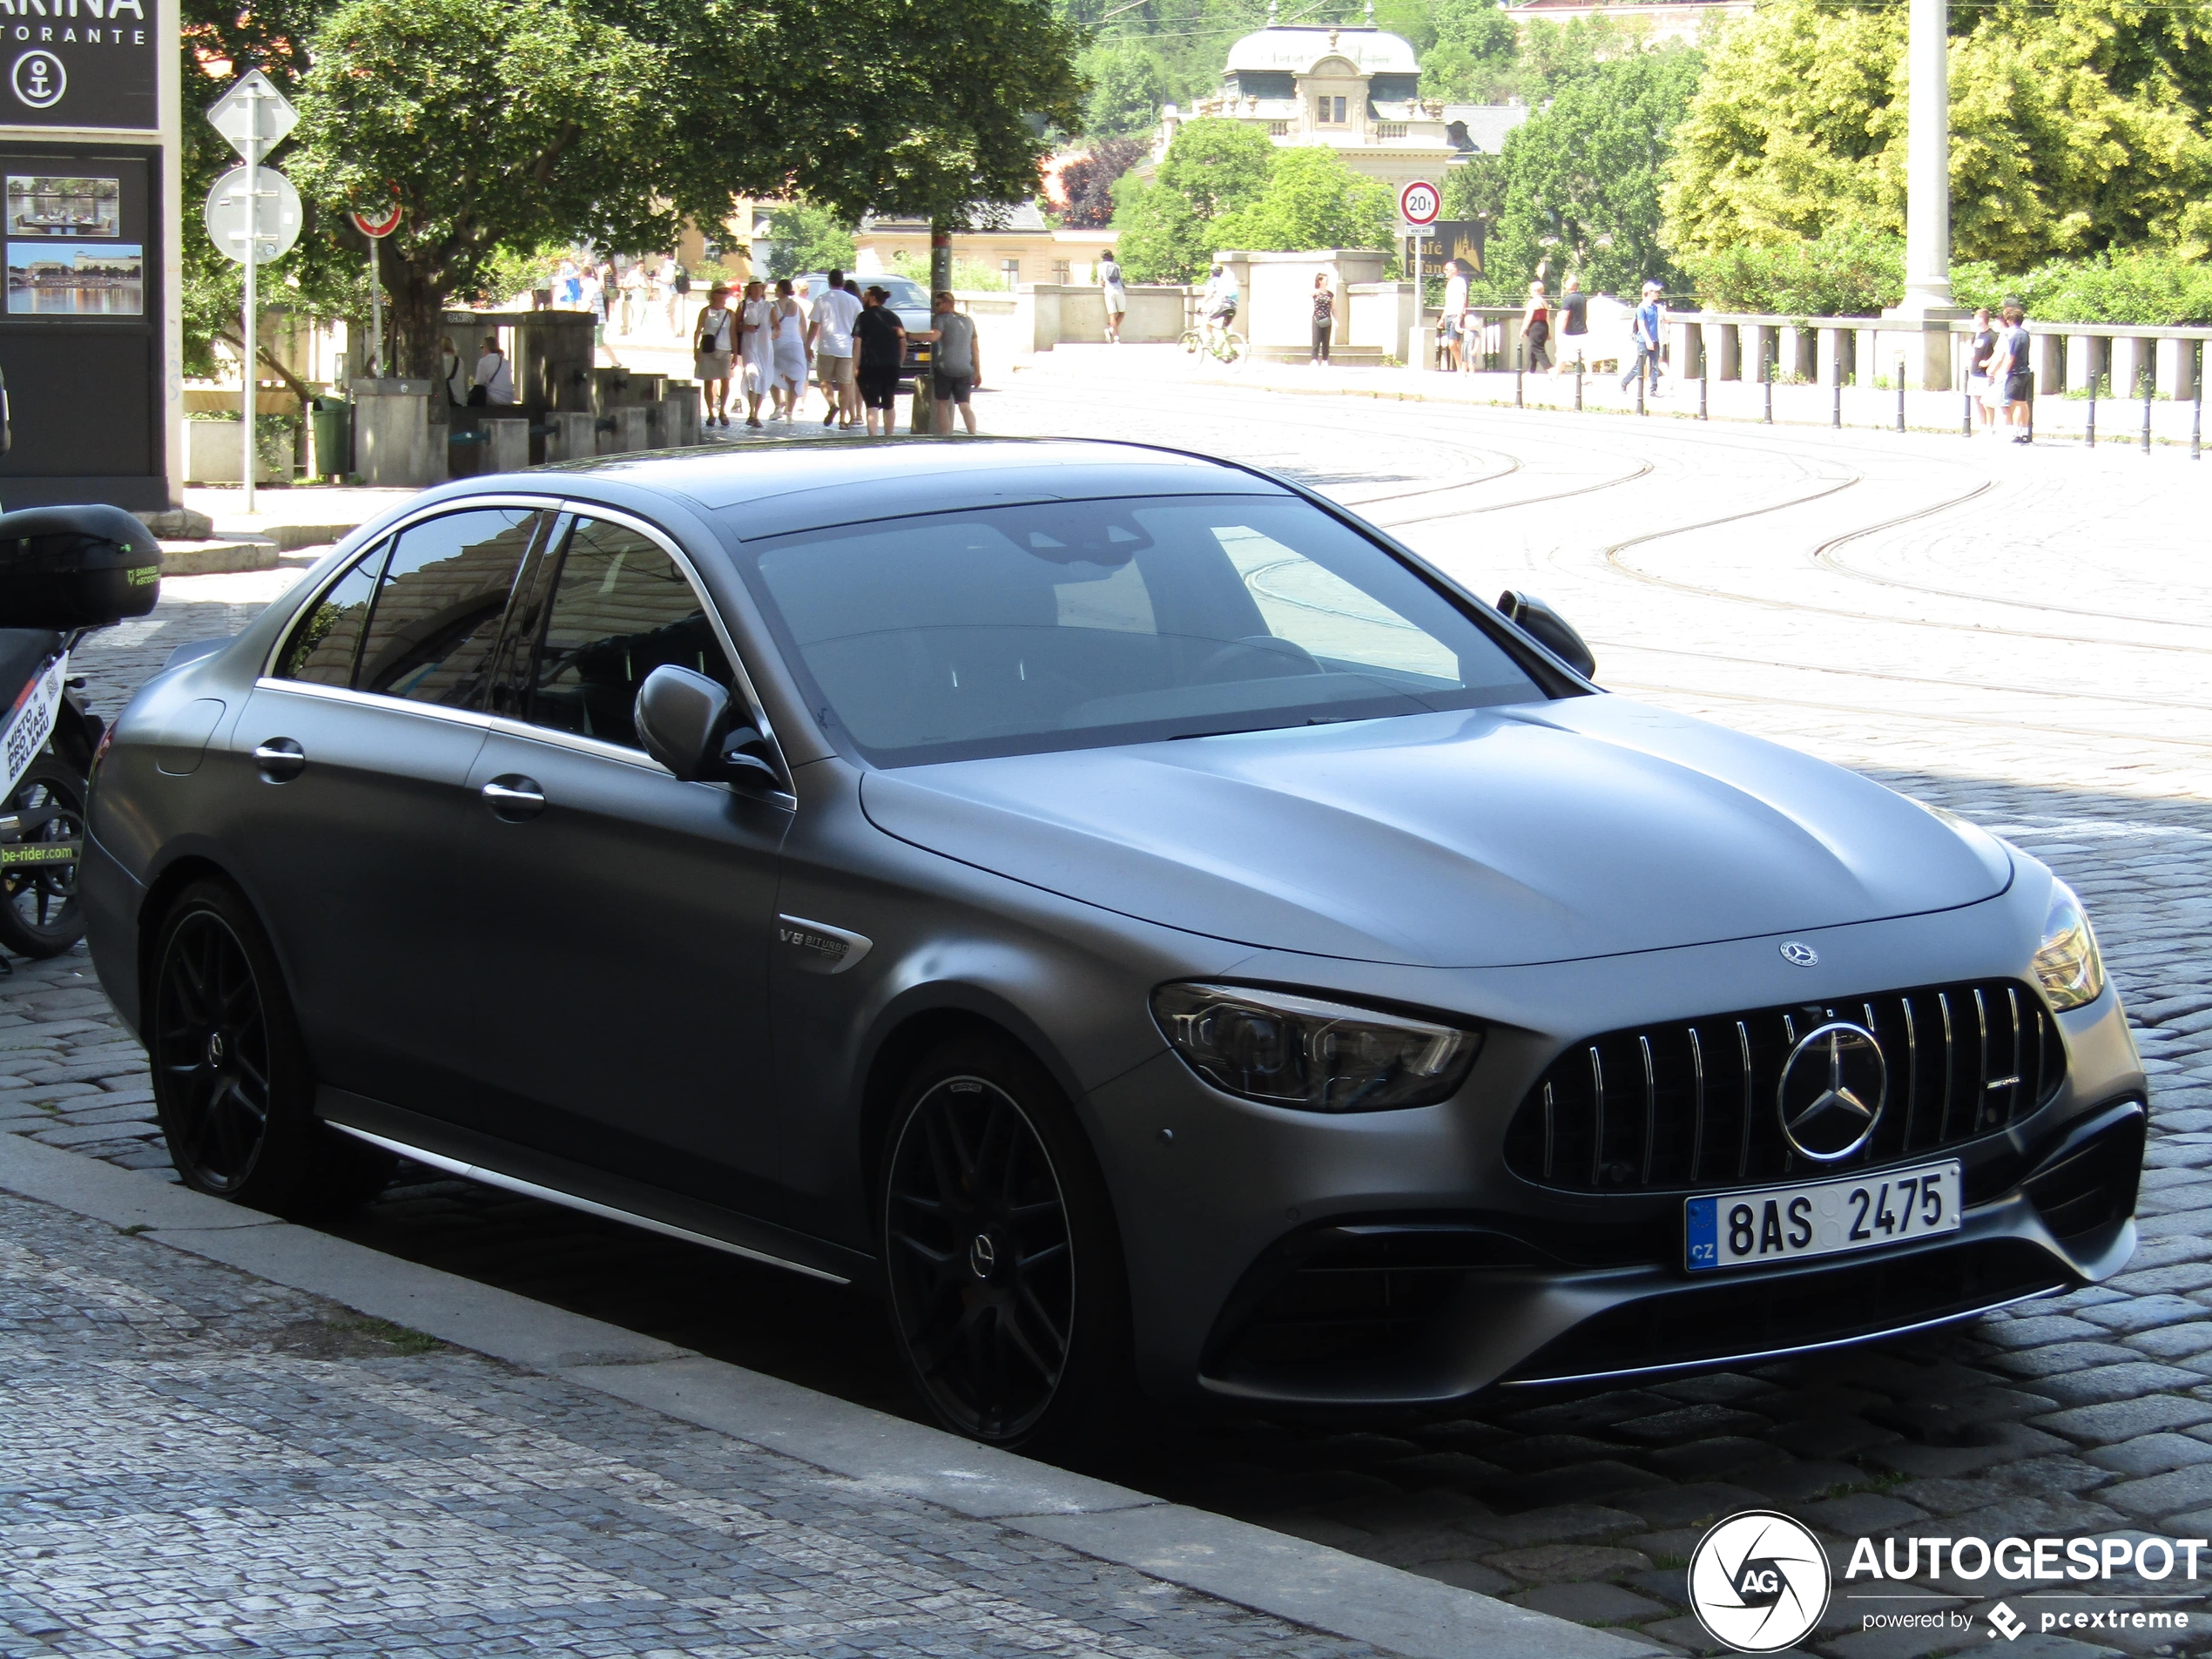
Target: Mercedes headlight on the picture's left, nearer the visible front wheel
pixel 1317 1056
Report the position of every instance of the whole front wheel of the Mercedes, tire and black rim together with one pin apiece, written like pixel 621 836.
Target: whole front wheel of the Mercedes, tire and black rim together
pixel 1003 1269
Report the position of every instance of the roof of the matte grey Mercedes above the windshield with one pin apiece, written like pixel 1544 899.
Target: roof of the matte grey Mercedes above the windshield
pixel 800 486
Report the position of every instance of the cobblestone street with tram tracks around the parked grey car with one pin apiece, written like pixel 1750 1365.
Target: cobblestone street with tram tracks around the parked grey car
pixel 2014 636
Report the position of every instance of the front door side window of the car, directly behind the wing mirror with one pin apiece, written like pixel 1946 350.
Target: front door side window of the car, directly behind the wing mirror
pixel 620 609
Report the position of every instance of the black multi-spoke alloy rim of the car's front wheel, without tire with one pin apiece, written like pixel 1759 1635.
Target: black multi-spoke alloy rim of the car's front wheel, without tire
pixel 981 1255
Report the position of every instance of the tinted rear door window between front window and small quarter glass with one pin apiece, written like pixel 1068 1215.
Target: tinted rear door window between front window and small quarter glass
pixel 441 603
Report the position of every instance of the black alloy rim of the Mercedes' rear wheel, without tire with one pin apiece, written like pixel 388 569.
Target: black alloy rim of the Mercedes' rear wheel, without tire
pixel 211 1052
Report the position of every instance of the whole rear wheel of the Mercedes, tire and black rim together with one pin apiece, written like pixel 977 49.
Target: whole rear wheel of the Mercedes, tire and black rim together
pixel 231 1076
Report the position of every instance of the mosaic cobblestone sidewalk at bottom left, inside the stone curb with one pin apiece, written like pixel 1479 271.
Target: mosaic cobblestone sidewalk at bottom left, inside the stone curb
pixel 205 1463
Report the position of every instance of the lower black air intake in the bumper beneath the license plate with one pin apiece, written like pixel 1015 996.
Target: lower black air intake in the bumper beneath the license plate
pixel 1773 1313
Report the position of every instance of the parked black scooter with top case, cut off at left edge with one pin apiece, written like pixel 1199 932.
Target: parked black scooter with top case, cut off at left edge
pixel 65 572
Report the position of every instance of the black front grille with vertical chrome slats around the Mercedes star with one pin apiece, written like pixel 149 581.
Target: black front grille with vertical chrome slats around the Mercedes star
pixel 1693 1105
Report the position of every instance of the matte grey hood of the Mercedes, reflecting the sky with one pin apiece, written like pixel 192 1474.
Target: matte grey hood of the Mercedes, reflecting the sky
pixel 1496 837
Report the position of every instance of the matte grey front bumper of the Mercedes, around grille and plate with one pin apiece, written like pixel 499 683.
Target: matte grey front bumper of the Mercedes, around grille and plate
pixel 1244 1222
